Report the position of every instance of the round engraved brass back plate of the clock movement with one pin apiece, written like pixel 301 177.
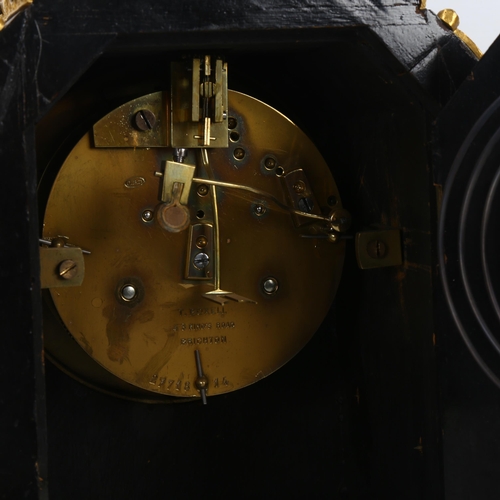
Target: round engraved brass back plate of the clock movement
pixel 142 310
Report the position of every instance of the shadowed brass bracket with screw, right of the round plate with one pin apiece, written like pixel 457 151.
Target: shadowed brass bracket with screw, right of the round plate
pixel 380 248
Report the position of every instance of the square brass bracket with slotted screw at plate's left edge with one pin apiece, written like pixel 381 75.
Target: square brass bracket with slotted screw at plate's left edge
pixel 61 267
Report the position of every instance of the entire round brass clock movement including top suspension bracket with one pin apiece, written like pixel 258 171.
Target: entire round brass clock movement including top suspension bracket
pixel 191 242
